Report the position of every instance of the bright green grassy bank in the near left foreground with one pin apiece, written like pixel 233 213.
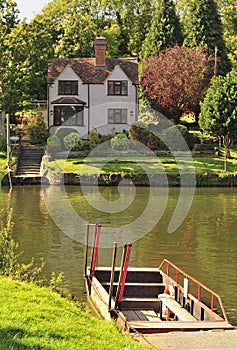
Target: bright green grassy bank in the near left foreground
pixel 36 318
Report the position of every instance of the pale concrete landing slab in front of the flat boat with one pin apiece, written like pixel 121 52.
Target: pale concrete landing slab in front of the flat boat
pixel 202 340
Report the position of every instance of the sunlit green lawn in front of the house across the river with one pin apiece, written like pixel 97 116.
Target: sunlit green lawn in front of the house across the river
pixel 202 164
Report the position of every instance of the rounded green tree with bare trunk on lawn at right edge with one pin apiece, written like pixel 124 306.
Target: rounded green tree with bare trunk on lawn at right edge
pixel 219 110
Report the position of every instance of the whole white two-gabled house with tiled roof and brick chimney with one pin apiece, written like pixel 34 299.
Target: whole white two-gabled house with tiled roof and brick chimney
pixel 93 93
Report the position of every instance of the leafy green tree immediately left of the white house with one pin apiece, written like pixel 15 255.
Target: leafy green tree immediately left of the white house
pixel 31 46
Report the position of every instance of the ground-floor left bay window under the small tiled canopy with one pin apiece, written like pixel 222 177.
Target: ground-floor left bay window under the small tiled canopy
pixel 68 115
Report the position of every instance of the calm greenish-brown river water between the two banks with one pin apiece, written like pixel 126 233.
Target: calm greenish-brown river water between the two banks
pixel 50 223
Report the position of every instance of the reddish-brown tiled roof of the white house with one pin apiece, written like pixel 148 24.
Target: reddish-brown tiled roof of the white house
pixel 86 70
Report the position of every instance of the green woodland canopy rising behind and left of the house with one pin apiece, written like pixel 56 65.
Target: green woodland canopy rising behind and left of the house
pixel 132 28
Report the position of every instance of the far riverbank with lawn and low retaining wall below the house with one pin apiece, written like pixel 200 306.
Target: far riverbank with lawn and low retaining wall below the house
pixel 74 169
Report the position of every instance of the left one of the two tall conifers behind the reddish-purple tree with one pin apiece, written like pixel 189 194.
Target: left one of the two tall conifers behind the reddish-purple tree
pixel 165 30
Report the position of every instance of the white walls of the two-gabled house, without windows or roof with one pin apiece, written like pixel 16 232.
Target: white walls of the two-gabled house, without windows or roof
pixel 96 116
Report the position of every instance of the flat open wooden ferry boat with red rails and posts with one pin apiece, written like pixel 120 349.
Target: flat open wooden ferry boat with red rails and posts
pixel 151 300
